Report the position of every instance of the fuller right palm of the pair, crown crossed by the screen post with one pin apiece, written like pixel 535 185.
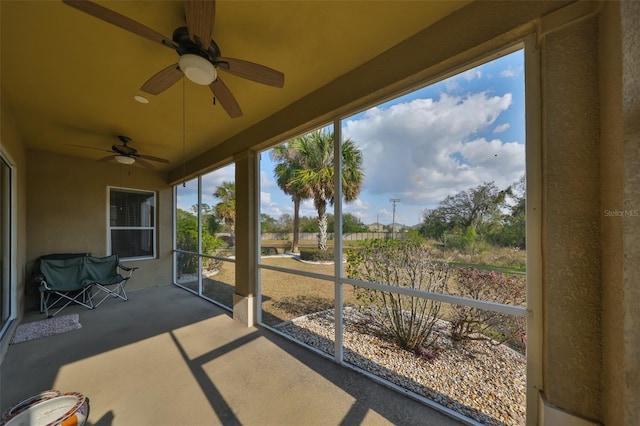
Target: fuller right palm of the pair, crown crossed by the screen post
pixel 315 177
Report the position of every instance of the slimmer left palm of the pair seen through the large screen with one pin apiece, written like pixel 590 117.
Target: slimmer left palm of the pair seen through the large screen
pixel 289 162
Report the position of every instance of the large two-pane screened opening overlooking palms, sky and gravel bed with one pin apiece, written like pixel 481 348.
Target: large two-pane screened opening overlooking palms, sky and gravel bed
pixel 415 277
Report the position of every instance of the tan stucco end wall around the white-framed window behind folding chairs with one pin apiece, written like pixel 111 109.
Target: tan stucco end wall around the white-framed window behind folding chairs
pixel 67 210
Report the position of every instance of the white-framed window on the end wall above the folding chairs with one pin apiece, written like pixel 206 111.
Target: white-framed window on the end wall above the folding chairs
pixel 132 223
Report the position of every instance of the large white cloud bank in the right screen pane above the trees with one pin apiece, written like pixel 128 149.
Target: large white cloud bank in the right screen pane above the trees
pixel 425 149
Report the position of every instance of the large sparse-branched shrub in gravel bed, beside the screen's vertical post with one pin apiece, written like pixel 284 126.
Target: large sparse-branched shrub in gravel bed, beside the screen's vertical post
pixel 409 320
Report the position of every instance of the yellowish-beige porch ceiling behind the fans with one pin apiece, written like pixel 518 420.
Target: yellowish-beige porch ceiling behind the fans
pixel 69 78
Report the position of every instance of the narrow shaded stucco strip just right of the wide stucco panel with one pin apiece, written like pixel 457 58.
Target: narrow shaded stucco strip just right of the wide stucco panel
pixel 612 172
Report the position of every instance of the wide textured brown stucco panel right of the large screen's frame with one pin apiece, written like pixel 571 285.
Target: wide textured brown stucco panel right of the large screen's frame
pixel 571 219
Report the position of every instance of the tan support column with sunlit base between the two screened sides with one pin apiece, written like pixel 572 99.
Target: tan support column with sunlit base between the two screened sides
pixel 245 307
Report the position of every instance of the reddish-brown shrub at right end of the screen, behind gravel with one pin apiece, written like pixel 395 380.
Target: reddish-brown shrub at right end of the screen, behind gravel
pixel 474 323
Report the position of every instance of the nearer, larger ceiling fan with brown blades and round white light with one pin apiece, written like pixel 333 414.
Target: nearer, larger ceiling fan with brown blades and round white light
pixel 200 56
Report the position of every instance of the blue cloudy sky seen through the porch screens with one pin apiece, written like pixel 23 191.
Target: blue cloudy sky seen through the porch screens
pixel 421 147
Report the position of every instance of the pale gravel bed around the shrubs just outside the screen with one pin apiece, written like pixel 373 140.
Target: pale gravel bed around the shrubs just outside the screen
pixel 482 380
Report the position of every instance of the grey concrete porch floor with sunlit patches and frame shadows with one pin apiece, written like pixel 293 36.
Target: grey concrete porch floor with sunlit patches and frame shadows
pixel 166 357
